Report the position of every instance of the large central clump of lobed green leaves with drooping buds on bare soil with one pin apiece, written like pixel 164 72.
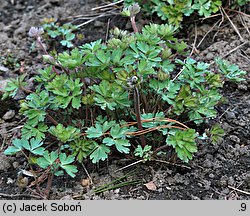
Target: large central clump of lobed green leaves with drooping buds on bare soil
pixel 102 98
